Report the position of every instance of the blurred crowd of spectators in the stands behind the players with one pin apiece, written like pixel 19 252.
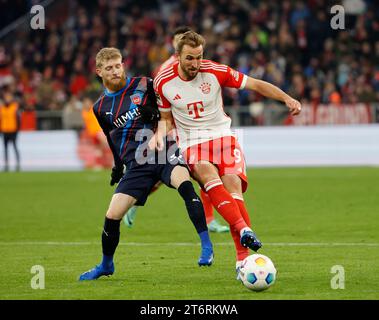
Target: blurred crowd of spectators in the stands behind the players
pixel 288 43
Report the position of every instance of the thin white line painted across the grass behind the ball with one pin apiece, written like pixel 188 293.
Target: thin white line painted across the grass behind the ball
pixel 179 244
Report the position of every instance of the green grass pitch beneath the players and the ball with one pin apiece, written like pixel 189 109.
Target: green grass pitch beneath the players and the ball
pixel 309 220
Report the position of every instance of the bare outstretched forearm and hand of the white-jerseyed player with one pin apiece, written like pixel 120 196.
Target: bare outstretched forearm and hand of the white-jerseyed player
pixel 270 91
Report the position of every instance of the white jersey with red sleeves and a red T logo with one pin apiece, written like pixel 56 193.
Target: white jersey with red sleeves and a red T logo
pixel 197 105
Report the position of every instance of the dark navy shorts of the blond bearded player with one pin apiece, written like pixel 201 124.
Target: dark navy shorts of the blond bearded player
pixel 138 181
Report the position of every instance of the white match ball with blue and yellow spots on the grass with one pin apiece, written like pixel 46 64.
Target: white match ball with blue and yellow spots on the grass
pixel 257 272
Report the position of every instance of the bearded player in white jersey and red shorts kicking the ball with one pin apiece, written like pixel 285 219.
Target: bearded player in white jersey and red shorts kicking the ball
pixel 190 99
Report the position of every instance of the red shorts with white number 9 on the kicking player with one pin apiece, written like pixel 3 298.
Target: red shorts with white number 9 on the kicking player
pixel 225 153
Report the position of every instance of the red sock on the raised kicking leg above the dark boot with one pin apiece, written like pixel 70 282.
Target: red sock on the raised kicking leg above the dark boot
pixel 225 205
